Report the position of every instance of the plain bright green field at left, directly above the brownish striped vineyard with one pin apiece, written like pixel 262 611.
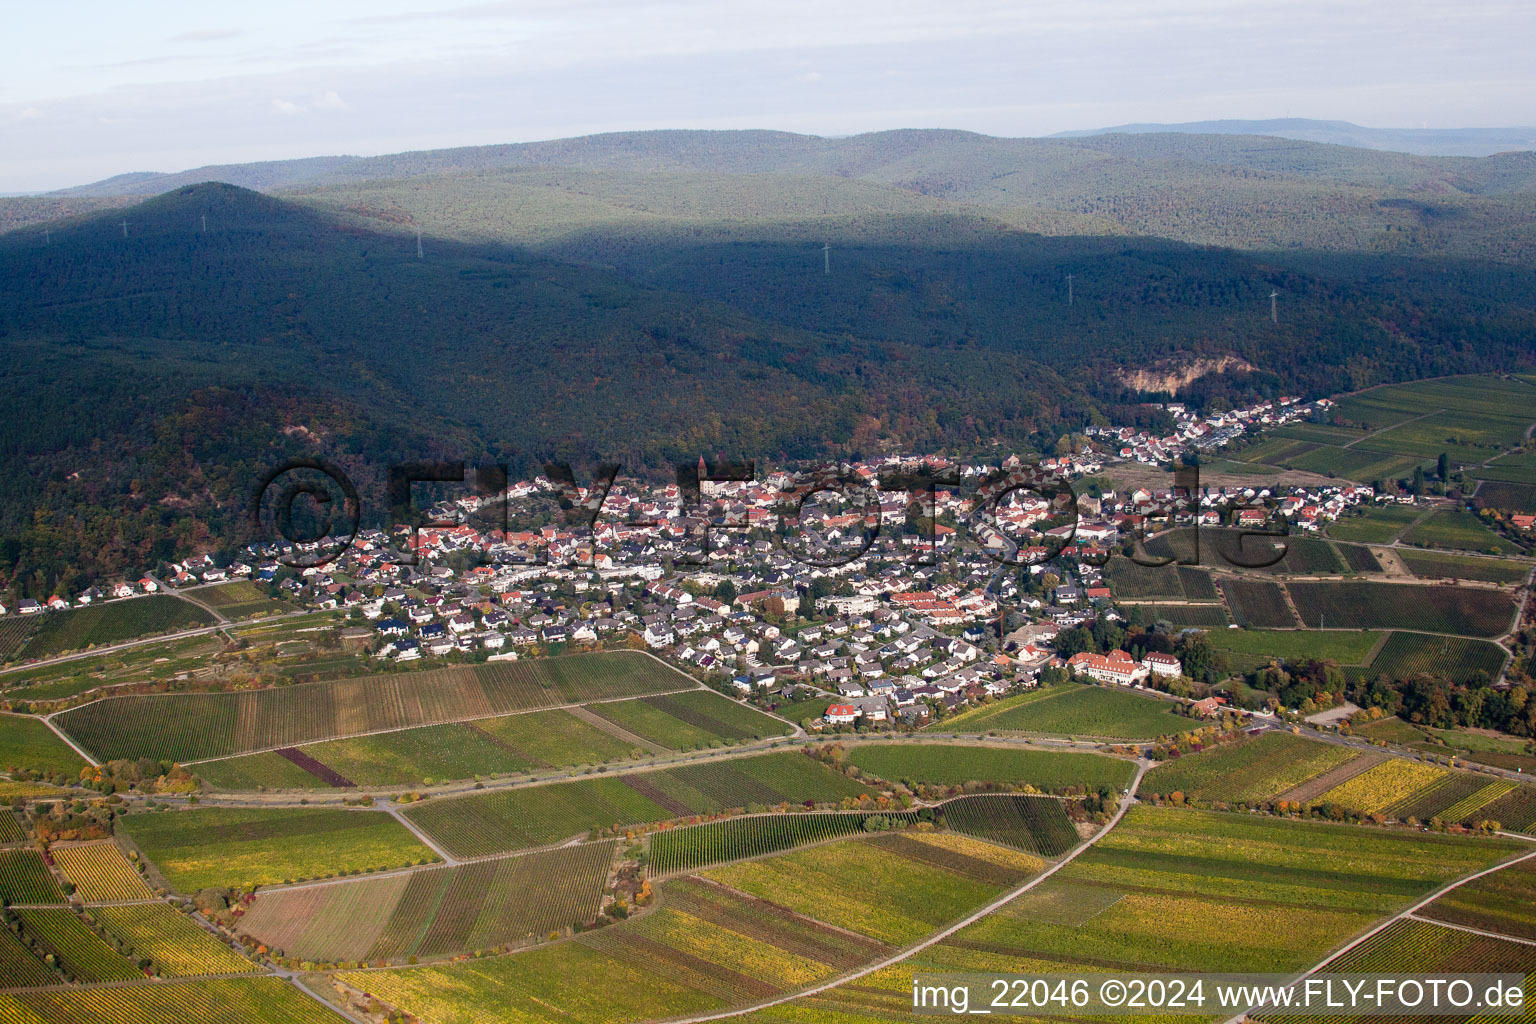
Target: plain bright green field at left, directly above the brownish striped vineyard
pixel 243 848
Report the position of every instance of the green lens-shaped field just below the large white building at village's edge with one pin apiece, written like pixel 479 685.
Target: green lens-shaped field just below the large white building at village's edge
pixel 1073 710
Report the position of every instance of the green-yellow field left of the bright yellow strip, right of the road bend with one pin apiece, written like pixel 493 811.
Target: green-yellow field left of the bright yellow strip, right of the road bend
pixel 1248 771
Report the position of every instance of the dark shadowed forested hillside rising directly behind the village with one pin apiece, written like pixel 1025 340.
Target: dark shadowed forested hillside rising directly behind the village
pixel 156 362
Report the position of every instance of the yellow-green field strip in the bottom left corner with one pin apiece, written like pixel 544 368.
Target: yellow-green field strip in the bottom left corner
pixel 266 1000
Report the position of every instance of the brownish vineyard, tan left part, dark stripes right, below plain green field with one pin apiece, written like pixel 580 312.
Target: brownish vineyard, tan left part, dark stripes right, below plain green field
pixel 435 911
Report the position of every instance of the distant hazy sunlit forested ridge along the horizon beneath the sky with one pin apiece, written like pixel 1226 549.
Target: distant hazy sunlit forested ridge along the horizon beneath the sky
pixel 1237 191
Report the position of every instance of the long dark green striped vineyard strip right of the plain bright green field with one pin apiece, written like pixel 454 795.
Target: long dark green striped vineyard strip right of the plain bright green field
pixel 537 816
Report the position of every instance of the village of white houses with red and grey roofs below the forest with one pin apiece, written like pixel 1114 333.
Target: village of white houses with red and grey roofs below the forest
pixel 922 609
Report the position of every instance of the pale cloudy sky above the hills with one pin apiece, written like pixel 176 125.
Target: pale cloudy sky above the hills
pixel 91 90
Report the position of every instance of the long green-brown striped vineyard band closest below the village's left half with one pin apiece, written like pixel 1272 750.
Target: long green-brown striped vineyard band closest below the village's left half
pixel 199 727
